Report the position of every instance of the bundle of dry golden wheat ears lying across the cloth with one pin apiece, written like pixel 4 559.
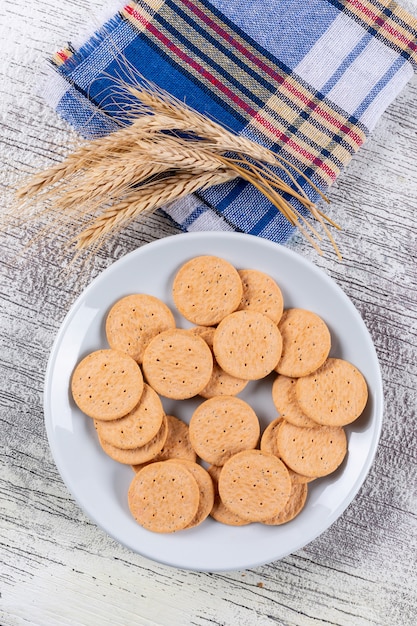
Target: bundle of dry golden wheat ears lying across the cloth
pixel 109 181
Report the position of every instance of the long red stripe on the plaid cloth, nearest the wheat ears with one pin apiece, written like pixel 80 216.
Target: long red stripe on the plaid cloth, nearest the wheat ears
pixel 230 94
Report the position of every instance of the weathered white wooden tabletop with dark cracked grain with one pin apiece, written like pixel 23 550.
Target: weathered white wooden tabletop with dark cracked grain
pixel 56 567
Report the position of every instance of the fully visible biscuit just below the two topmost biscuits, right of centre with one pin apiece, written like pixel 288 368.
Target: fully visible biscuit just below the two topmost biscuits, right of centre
pixel 247 345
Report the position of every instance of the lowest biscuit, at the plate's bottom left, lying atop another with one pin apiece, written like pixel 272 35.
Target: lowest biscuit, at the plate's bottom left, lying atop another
pixel 163 497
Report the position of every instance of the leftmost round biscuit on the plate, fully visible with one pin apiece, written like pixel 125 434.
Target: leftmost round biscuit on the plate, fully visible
pixel 107 384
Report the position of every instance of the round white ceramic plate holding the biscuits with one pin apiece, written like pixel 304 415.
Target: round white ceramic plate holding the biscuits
pixel 100 485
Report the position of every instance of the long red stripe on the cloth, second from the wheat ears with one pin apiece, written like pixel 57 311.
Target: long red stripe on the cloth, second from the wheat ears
pixel 281 79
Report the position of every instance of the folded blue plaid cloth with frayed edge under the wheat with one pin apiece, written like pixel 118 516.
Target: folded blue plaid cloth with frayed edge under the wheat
pixel 307 79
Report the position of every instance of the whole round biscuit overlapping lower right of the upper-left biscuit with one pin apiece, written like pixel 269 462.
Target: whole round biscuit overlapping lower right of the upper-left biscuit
pixel 177 364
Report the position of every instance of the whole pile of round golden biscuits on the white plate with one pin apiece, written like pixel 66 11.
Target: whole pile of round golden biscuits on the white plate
pixel 220 464
